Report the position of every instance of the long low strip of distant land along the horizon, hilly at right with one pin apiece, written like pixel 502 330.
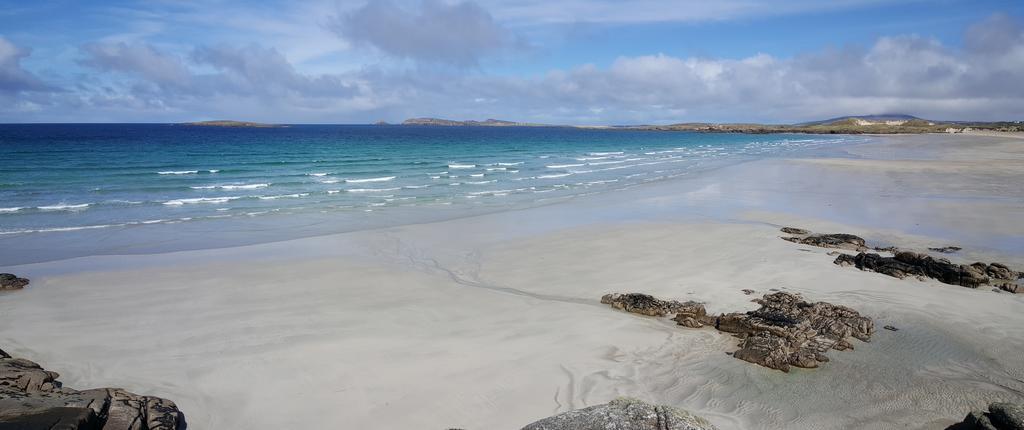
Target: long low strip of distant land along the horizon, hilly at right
pixel 867 124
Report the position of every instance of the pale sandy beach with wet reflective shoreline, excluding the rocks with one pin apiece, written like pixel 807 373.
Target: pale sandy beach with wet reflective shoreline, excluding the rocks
pixel 492 322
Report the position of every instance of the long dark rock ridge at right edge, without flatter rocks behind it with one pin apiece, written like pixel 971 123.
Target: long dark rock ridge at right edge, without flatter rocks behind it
pixel 906 264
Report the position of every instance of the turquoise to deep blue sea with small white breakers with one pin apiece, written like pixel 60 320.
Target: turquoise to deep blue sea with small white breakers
pixel 58 180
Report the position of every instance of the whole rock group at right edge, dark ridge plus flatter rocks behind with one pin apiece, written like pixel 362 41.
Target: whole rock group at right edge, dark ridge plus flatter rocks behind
pixel 907 264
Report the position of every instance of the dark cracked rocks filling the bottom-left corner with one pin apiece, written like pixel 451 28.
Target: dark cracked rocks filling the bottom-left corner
pixel 31 398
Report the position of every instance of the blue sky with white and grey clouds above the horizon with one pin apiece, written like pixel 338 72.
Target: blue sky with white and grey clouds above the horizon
pixel 569 62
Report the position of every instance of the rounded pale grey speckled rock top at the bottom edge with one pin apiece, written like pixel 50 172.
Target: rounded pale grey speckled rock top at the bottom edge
pixel 624 414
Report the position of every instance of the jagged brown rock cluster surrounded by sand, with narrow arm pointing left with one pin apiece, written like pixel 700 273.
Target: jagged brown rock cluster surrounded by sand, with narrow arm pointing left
pixel 785 332
